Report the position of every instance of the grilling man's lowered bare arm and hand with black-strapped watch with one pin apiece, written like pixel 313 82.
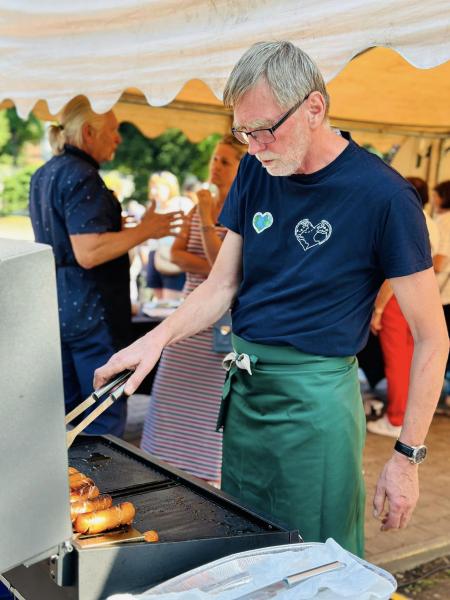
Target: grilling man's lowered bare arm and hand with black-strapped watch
pixel 398 484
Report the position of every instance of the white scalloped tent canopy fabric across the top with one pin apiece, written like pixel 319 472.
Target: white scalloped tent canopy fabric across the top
pixel 53 50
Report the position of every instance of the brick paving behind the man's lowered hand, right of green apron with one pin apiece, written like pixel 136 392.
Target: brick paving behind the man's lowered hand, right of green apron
pixel 428 533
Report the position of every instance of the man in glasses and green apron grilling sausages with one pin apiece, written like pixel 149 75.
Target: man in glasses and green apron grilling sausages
pixel 315 224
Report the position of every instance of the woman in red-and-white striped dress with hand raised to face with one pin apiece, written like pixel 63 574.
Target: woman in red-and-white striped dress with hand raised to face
pixel 180 425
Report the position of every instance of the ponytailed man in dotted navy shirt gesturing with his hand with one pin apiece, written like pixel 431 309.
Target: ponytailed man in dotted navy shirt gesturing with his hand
pixel 72 210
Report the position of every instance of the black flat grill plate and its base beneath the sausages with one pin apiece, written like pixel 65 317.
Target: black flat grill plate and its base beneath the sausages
pixel 196 524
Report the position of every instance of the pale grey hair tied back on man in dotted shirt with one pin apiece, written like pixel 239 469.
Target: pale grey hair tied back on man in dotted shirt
pixel 75 114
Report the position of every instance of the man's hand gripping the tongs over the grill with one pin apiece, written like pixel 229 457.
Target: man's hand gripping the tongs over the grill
pixel 140 357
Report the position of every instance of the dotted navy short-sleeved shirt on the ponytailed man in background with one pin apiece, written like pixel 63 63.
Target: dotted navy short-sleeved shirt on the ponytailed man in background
pixel 68 196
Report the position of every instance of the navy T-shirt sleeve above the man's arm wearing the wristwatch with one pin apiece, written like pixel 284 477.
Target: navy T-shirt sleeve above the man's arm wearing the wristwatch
pixel 404 245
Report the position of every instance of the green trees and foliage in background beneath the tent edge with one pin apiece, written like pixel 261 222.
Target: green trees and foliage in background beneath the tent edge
pixel 23 149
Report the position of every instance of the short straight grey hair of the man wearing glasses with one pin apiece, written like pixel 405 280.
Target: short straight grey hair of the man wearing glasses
pixel 290 73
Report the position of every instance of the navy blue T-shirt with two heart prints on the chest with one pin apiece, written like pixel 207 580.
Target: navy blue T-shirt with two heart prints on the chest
pixel 317 247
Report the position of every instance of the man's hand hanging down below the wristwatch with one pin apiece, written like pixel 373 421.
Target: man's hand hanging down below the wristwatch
pixel 398 485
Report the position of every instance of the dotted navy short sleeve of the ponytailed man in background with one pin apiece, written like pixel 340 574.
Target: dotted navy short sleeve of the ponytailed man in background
pixel 87 206
